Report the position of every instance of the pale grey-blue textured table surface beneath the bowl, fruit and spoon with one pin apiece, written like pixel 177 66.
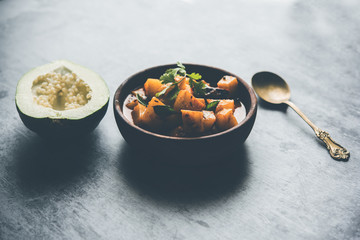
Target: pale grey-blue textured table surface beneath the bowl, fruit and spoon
pixel 281 184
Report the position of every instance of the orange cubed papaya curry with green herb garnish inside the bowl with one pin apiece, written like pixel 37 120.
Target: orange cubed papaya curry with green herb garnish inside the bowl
pixel 183 104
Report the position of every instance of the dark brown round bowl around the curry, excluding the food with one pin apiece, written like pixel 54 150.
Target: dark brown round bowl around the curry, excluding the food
pixel 185 150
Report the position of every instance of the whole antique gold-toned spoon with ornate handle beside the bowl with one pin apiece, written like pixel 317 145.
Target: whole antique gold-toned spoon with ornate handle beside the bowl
pixel 273 89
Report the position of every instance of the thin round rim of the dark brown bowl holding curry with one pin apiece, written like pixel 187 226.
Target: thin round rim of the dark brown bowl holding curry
pixel 250 113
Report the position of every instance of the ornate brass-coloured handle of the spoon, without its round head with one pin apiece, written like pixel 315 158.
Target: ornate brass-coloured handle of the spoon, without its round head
pixel 336 151
